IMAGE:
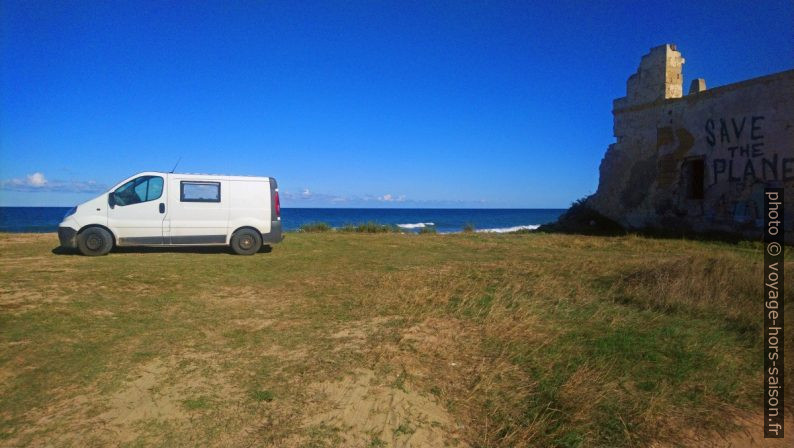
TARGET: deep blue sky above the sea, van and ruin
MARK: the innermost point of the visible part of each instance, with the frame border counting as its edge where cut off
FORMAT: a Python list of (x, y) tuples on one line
[(350, 103)]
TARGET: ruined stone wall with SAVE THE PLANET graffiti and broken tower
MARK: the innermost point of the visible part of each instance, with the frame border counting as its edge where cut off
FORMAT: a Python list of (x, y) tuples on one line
[(701, 161)]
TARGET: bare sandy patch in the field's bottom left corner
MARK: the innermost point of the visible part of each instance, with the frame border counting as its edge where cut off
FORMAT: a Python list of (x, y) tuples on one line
[(158, 392)]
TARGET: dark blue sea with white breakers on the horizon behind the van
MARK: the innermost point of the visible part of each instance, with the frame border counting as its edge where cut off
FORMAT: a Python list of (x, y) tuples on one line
[(444, 220)]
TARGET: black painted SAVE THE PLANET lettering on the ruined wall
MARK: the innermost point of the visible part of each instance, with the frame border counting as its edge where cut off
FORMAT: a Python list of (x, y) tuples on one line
[(741, 145)]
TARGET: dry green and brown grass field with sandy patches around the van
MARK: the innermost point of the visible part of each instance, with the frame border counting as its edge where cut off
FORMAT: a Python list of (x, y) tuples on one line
[(375, 340)]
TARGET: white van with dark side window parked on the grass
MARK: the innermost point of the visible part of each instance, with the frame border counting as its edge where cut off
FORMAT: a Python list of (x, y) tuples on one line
[(168, 209)]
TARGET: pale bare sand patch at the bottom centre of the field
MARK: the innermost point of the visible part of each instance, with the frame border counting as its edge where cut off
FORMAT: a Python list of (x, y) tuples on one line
[(387, 408)]
